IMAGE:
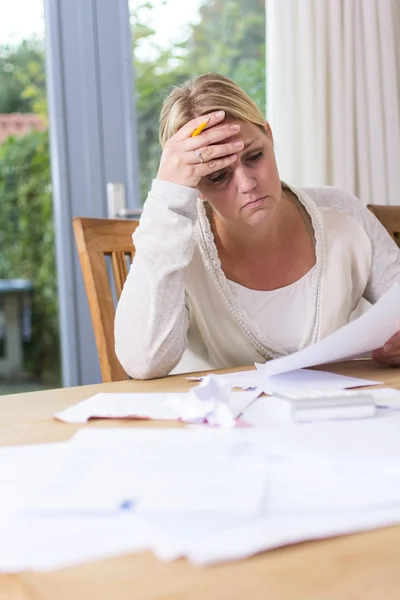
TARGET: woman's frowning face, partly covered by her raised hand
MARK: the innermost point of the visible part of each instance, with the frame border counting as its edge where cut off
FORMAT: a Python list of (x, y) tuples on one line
[(247, 192)]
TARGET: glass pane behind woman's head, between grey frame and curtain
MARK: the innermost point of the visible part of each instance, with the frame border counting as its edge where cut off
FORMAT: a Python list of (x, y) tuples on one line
[(176, 40)]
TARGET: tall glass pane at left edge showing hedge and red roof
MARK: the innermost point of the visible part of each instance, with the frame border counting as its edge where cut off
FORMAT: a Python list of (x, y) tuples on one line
[(29, 337)]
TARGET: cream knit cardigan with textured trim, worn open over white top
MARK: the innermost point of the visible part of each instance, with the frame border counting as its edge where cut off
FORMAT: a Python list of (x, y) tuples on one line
[(177, 310)]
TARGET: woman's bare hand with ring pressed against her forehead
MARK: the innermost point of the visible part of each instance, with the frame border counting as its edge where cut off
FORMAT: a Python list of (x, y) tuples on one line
[(186, 159)]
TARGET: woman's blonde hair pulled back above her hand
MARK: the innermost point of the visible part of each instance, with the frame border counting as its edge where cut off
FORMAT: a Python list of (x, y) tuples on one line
[(206, 94)]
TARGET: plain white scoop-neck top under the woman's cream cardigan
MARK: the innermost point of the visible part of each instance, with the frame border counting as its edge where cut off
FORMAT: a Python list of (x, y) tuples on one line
[(270, 310)]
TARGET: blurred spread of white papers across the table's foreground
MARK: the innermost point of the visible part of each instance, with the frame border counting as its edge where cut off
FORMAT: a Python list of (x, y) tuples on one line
[(205, 494)]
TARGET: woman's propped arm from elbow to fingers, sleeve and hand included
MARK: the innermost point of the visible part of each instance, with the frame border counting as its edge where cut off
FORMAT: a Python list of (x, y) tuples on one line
[(151, 320)]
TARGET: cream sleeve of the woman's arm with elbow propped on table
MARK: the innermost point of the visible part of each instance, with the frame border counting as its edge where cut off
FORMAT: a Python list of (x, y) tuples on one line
[(151, 320)]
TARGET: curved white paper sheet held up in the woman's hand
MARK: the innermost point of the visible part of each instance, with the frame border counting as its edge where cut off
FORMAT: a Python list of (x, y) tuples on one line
[(368, 332)]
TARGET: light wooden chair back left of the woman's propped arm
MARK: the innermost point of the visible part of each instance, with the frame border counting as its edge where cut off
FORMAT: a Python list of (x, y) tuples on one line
[(97, 239)]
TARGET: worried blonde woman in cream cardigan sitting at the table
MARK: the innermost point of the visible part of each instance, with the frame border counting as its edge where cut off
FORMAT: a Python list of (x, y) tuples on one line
[(232, 266)]
